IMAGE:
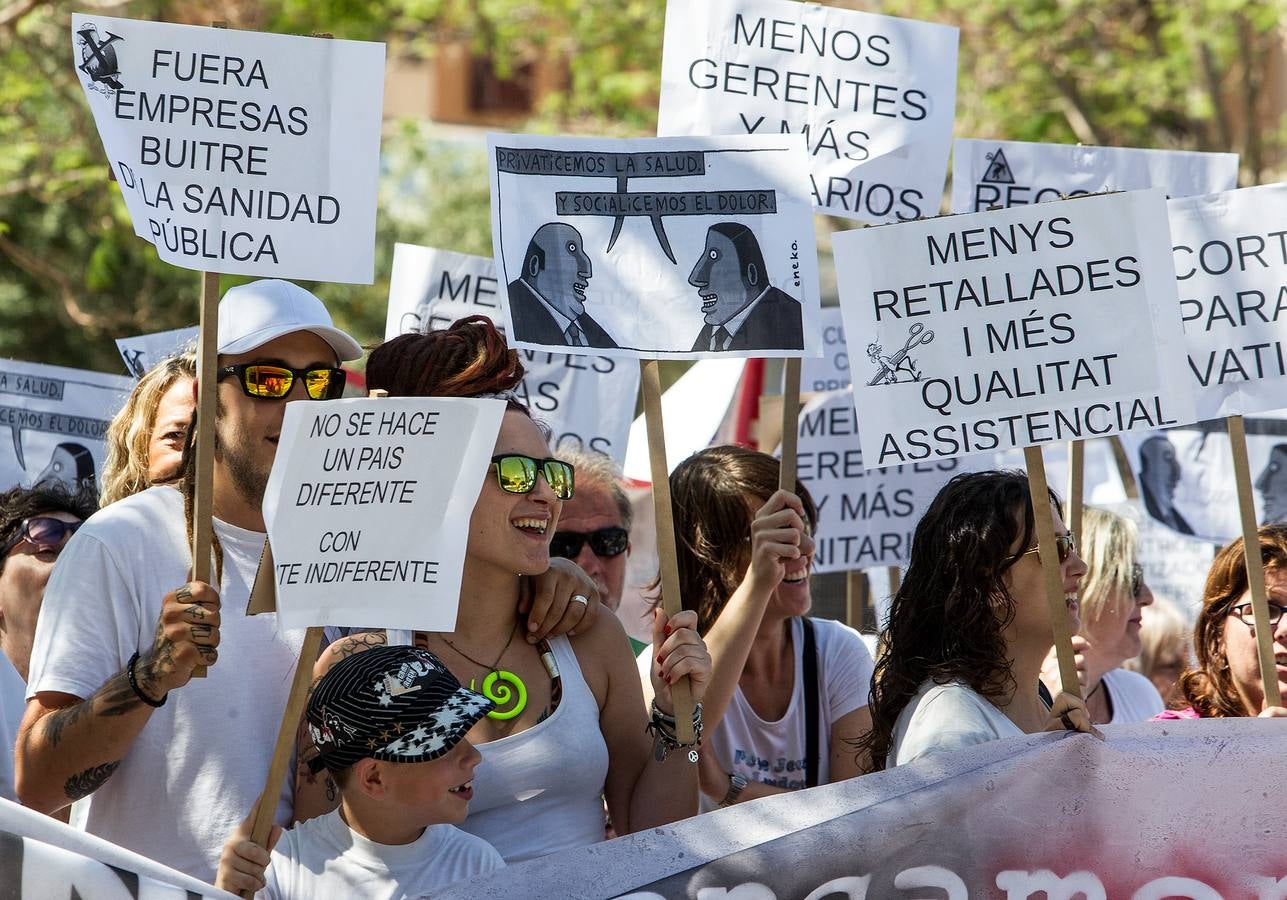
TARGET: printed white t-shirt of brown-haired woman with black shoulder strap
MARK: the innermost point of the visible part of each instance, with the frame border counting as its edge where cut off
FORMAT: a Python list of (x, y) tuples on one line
[(774, 753)]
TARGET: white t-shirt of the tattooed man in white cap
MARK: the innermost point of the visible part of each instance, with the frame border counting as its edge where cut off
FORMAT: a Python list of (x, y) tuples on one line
[(199, 765)]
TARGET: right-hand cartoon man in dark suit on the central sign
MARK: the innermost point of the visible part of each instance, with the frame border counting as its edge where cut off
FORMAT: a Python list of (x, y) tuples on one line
[(743, 311)]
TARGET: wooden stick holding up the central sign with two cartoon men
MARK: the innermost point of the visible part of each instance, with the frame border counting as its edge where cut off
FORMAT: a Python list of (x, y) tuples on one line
[(669, 561)]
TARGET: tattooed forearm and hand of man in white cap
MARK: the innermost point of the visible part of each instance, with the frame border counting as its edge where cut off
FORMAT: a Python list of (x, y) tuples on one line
[(69, 747)]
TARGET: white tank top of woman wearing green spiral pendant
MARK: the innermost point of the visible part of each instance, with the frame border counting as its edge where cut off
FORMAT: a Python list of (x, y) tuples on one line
[(541, 791)]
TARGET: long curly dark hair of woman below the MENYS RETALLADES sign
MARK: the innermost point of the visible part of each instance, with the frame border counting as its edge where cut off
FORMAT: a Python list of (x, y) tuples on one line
[(948, 620)]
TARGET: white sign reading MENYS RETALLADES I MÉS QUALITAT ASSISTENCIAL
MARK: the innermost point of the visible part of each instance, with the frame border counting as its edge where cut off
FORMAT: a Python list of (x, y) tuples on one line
[(1012, 329)]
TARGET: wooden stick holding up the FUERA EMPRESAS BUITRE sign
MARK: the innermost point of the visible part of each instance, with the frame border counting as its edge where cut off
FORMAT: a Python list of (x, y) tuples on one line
[(204, 442)]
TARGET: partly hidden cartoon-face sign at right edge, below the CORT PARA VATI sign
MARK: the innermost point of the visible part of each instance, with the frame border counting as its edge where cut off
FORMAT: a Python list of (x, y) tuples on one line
[(1186, 477)]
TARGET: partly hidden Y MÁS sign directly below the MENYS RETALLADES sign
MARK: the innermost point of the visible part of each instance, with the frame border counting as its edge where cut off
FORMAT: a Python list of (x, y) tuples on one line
[(866, 518)]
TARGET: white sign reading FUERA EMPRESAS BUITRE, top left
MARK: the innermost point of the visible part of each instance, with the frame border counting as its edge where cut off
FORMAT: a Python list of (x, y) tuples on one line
[(236, 151)]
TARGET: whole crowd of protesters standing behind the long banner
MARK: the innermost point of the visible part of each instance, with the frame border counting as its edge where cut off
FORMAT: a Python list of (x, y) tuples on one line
[(409, 781)]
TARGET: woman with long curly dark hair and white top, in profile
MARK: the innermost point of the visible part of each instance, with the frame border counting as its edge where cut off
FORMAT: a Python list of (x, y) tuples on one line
[(971, 626)]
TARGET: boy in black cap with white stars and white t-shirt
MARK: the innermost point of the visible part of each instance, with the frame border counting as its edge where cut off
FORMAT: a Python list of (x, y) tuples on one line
[(389, 724)]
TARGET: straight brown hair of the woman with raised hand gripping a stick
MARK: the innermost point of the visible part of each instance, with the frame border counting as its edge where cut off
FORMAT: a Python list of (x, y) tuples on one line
[(715, 495)]
